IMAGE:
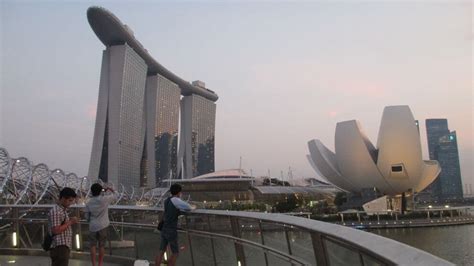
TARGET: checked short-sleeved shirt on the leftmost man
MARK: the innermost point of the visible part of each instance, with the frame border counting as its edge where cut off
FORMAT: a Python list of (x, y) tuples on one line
[(58, 215)]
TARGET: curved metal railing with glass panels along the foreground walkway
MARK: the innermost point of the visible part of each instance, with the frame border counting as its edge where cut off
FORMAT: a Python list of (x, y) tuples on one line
[(210, 237)]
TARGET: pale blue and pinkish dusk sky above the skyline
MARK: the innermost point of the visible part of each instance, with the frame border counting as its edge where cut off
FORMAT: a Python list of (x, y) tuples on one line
[(285, 73)]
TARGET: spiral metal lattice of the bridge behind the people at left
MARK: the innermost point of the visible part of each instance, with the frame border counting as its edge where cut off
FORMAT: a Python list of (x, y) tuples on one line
[(24, 183)]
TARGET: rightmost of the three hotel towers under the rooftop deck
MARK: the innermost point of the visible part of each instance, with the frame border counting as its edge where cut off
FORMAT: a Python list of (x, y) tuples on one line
[(196, 151)]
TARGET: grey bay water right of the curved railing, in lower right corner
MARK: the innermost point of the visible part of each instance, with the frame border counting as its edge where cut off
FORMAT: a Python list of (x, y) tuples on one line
[(452, 243)]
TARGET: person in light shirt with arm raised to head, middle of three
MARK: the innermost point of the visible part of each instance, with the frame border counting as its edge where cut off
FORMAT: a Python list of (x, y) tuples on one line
[(97, 213)]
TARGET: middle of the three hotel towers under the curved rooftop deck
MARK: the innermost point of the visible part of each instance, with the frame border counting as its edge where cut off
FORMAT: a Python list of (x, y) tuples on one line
[(162, 111)]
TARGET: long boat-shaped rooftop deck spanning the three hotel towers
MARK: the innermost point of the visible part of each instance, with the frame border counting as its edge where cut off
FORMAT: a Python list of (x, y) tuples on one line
[(111, 31)]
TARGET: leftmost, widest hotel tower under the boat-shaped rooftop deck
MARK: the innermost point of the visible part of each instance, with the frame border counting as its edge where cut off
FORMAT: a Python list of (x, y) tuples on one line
[(119, 134)]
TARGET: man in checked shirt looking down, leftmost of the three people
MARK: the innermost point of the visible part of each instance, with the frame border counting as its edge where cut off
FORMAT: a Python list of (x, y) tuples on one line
[(59, 226)]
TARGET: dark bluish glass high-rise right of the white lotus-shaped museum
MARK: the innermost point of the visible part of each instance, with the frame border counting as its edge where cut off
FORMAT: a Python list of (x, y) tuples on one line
[(442, 146)]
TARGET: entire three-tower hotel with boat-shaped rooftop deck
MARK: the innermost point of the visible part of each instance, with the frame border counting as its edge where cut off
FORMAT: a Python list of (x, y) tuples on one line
[(140, 106)]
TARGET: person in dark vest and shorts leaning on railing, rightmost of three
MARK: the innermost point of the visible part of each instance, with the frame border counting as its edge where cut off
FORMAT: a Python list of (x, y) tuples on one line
[(169, 233)]
